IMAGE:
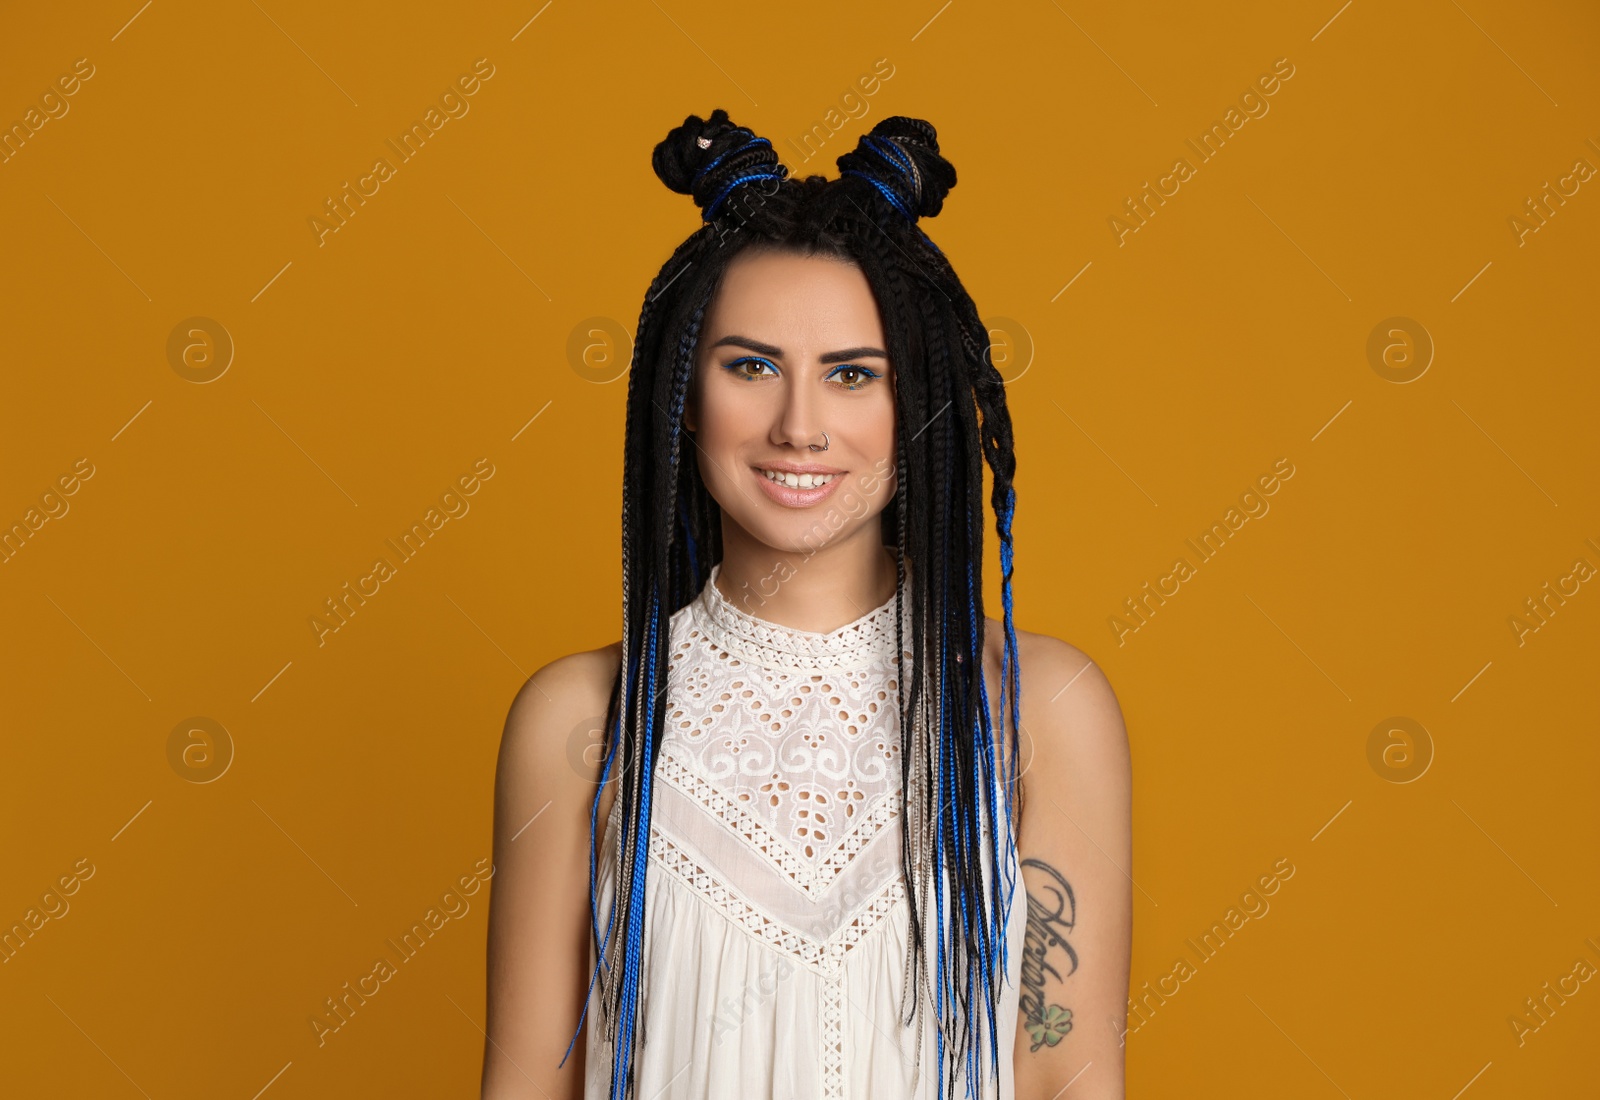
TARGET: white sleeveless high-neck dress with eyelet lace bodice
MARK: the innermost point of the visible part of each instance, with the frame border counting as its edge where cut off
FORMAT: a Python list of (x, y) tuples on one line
[(777, 909)]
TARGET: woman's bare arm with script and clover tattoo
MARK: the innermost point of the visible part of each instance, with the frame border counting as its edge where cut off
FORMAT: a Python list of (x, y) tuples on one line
[(1076, 847)]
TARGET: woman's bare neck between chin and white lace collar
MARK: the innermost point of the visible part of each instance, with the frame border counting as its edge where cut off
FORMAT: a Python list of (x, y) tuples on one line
[(812, 591)]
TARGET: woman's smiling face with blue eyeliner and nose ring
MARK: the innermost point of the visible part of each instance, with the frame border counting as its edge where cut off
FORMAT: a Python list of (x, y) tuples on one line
[(793, 348)]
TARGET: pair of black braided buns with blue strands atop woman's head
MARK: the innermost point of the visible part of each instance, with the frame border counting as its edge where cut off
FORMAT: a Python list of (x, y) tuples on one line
[(711, 157)]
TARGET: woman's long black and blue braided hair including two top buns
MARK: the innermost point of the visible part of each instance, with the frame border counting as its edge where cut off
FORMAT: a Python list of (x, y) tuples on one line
[(951, 420)]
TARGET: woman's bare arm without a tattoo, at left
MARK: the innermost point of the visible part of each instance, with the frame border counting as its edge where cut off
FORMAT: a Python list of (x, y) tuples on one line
[(538, 935)]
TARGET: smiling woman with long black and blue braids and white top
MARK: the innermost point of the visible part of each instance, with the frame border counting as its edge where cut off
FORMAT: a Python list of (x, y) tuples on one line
[(801, 864)]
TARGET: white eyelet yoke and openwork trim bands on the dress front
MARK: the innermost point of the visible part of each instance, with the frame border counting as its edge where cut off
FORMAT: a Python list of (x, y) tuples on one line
[(791, 741)]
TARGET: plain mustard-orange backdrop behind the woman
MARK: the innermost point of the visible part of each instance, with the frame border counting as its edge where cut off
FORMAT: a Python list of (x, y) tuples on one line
[(377, 369)]
